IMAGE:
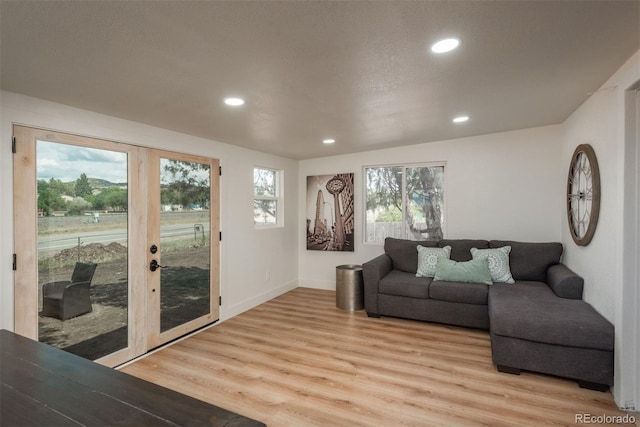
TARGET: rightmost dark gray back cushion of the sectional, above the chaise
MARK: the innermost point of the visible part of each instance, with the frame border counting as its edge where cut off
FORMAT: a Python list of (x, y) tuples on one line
[(530, 261)]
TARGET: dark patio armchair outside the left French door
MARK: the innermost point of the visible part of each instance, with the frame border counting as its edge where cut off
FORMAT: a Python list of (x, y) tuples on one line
[(69, 298)]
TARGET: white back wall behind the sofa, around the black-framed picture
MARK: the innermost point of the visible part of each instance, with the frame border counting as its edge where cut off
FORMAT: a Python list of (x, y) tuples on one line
[(499, 186)]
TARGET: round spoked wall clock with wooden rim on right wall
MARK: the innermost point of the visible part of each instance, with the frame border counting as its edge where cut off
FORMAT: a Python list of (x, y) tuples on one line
[(583, 194)]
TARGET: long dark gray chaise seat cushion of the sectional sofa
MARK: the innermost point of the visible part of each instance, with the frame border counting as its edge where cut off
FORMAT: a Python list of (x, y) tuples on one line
[(531, 311)]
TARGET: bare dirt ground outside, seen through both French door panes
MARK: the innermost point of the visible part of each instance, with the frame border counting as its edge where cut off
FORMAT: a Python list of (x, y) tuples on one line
[(184, 296)]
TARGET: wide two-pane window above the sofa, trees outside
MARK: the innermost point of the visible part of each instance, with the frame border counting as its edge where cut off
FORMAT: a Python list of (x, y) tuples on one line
[(404, 201)]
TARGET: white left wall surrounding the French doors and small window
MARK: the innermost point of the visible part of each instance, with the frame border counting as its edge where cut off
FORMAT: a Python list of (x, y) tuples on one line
[(246, 253)]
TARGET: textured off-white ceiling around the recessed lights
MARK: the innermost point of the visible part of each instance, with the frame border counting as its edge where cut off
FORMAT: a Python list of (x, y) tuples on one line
[(360, 72)]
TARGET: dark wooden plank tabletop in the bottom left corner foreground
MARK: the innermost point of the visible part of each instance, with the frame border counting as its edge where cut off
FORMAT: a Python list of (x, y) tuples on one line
[(44, 386)]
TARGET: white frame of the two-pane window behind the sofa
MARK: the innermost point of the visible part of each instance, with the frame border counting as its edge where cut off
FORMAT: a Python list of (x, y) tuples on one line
[(404, 167)]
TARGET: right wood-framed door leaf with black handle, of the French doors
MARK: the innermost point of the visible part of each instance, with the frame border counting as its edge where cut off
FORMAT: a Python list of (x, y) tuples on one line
[(183, 245)]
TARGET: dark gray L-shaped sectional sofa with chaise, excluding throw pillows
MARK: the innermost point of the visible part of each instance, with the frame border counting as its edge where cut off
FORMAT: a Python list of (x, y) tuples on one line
[(539, 323)]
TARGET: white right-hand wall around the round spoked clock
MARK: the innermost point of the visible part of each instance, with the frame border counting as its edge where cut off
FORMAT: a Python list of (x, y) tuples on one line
[(610, 285)]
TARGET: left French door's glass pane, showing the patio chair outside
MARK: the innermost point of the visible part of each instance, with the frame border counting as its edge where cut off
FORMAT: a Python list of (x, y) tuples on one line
[(82, 248)]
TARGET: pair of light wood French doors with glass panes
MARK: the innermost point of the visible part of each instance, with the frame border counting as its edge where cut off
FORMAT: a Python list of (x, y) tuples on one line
[(117, 246)]
